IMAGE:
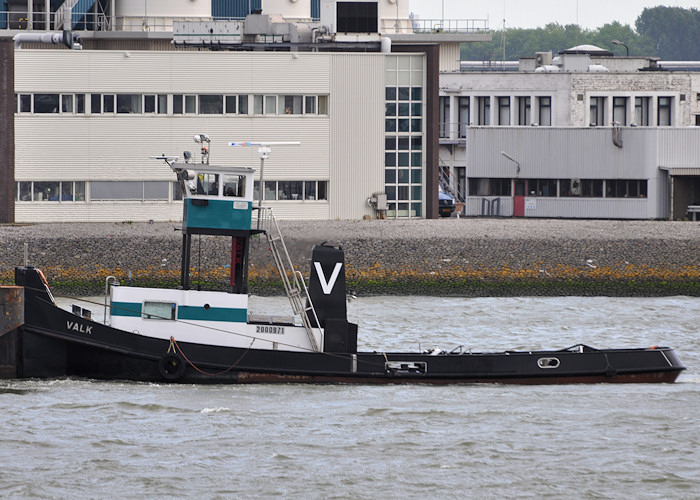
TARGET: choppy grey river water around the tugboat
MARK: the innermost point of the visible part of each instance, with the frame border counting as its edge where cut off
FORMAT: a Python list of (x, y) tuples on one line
[(81, 438)]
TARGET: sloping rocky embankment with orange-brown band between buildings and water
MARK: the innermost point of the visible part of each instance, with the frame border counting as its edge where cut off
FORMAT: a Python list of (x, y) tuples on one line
[(472, 257)]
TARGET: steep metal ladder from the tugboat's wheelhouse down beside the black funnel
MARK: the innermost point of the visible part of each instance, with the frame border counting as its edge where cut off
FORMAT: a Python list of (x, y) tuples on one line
[(295, 287)]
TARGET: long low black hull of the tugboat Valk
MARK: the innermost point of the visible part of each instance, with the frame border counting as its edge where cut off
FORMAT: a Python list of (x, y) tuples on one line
[(46, 347)]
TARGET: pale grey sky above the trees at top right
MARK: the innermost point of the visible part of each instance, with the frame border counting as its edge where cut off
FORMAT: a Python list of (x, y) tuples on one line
[(537, 13)]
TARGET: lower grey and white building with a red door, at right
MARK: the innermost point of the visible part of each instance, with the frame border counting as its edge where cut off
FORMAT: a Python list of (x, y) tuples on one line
[(583, 134)]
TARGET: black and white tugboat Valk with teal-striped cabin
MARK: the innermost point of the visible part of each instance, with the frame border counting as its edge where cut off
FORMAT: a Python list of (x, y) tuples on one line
[(188, 335)]
